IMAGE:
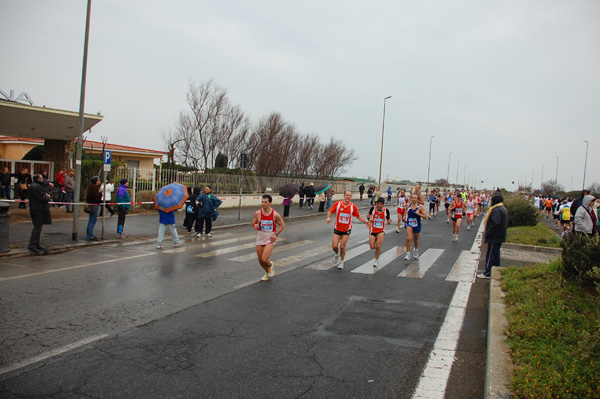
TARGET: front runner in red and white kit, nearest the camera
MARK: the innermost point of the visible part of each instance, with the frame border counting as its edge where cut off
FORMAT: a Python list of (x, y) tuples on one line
[(265, 221)]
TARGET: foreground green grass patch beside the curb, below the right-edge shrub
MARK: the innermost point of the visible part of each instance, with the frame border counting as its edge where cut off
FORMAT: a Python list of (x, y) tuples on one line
[(553, 333)]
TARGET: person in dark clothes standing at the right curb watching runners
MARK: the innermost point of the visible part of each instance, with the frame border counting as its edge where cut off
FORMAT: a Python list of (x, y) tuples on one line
[(496, 225)]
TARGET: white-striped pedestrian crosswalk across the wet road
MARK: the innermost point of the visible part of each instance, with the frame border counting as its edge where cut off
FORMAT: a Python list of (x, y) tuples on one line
[(359, 259)]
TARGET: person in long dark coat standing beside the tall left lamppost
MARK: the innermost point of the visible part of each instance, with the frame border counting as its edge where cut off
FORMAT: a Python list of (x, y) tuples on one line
[(39, 208)]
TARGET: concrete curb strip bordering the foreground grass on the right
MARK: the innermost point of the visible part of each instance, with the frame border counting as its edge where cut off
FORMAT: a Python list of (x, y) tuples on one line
[(498, 373)]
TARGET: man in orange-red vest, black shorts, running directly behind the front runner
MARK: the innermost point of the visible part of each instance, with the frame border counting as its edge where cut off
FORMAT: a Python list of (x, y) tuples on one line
[(345, 210)]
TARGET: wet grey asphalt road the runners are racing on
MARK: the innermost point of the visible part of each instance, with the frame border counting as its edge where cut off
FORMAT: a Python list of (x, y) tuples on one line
[(128, 320)]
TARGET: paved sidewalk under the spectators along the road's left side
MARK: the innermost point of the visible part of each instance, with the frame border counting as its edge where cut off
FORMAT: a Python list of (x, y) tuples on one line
[(58, 237)]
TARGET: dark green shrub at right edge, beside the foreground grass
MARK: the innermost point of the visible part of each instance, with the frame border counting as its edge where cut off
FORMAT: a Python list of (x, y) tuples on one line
[(581, 259)]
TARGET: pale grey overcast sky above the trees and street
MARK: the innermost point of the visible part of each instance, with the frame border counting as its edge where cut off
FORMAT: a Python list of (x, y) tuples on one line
[(506, 86)]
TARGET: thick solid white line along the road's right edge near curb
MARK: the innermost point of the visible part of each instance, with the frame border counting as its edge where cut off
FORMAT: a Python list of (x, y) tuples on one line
[(433, 381)]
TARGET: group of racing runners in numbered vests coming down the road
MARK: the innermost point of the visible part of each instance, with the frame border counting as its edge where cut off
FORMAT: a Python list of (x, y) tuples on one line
[(410, 211)]
